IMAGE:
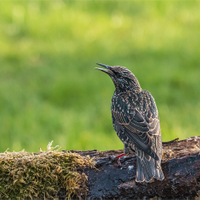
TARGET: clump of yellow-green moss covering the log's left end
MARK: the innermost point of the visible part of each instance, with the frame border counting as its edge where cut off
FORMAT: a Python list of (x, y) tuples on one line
[(43, 174)]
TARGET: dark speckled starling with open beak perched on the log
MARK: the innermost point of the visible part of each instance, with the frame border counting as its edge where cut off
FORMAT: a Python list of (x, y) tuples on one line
[(136, 122)]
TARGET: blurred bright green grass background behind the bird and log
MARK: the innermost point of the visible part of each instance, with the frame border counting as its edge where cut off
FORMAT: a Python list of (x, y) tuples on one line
[(49, 89)]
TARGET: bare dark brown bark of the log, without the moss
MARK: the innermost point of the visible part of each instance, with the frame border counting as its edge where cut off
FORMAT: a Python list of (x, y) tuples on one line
[(180, 164)]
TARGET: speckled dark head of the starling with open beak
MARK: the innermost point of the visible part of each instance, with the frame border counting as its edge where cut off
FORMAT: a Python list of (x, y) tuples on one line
[(123, 78)]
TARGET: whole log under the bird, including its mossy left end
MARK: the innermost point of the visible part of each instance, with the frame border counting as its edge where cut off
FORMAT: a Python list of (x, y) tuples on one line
[(55, 174)]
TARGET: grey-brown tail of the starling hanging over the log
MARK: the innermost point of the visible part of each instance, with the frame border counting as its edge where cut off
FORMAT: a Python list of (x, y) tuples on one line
[(148, 168)]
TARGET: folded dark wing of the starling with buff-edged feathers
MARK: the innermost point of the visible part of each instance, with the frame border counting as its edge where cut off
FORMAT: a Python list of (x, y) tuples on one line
[(138, 125)]
